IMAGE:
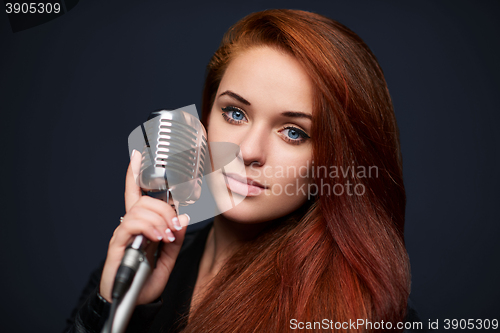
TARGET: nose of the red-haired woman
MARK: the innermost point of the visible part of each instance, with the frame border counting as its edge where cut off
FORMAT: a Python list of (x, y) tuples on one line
[(254, 145)]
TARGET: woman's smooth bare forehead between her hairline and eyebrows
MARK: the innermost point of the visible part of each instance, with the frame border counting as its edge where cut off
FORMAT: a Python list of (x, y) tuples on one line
[(266, 75)]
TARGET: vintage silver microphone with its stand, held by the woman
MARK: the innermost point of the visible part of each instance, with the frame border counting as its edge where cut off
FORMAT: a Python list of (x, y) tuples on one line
[(174, 150)]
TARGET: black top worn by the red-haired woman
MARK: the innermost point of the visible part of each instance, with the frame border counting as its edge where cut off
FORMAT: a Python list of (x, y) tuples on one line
[(167, 313)]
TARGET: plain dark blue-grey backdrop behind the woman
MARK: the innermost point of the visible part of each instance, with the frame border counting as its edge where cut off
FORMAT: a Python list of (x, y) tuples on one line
[(71, 91)]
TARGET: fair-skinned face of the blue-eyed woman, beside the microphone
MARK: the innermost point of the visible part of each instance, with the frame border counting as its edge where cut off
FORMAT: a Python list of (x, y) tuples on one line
[(264, 105)]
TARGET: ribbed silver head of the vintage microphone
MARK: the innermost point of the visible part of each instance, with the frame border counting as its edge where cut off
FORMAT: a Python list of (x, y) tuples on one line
[(174, 154)]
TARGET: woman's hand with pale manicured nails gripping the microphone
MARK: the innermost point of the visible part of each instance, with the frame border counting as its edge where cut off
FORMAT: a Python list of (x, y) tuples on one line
[(154, 219)]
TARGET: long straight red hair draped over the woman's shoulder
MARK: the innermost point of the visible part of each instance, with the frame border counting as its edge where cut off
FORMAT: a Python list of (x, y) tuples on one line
[(340, 257)]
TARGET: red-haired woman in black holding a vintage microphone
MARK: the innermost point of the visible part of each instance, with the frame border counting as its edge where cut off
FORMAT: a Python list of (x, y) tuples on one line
[(297, 91)]
